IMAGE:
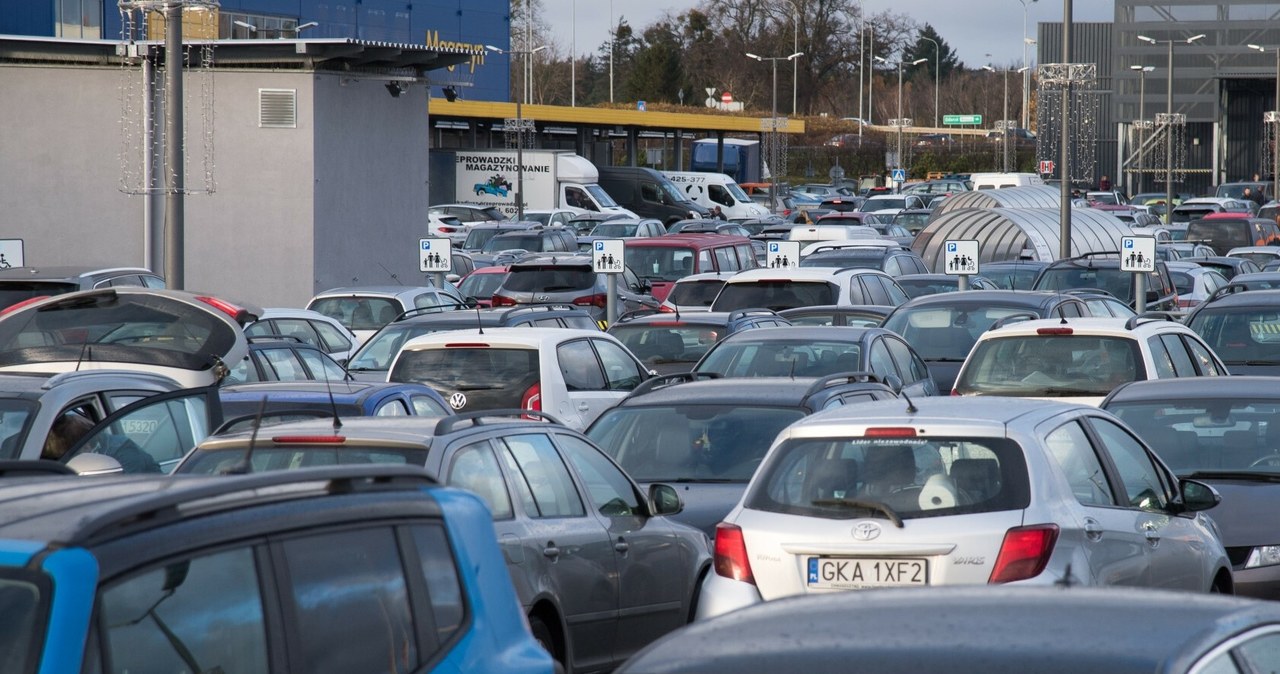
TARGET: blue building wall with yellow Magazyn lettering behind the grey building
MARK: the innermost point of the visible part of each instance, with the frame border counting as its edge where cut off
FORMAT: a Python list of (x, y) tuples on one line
[(468, 24)]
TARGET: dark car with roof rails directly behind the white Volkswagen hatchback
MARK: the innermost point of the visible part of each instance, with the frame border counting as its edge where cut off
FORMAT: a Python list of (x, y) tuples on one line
[(376, 356)]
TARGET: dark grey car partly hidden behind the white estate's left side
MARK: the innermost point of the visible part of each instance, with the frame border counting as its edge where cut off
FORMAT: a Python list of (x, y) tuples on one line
[(943, 328)]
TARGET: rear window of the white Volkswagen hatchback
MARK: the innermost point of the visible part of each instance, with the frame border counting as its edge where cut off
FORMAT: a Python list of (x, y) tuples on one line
[(488, 378)]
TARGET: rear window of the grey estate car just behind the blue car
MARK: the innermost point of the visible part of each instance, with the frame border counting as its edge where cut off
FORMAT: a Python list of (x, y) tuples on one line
[(289, 457)]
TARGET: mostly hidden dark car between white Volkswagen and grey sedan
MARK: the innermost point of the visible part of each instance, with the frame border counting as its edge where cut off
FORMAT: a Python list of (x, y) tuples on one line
[(669, 343)]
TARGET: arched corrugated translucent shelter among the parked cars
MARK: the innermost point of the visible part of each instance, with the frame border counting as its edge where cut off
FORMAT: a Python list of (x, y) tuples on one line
[(1005, 233)]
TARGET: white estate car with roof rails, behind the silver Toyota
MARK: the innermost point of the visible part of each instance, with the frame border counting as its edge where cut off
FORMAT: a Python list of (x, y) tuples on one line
[(1082, 360)]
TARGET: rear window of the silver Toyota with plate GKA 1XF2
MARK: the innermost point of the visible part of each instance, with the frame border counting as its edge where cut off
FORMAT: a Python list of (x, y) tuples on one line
[(857, 478)]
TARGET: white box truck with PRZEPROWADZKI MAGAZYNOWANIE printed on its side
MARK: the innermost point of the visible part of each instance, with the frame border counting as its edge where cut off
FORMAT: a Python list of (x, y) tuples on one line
[(552, 180)]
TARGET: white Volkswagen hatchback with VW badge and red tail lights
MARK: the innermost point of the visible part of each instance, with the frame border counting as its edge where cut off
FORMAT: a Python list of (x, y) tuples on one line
[(574, 375)]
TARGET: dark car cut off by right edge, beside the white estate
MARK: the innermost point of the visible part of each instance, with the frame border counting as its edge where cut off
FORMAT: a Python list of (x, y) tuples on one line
[(1244, 329)]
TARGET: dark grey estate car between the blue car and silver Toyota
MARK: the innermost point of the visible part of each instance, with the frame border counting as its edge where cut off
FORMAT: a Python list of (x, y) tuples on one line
[(600, 568)]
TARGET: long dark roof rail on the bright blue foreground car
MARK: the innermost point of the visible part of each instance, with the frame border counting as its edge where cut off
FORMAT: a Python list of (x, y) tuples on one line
[(164, 506)]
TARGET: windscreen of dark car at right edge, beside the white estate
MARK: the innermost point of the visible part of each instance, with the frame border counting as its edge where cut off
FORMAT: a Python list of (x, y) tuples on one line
[(1241, 336)]
